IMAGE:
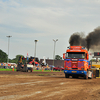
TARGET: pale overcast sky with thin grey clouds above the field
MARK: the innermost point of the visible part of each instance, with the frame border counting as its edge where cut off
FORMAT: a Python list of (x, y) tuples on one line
[(44, 20)]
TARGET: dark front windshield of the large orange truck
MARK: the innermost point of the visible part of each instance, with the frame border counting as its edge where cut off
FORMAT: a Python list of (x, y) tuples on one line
[(75, 55)]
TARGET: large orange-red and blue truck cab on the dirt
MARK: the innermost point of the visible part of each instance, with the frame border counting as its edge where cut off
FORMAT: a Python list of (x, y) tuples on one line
[(76, 62)]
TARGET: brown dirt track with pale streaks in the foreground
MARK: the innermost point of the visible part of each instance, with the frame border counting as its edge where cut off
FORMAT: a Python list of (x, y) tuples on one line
[(54, 86)]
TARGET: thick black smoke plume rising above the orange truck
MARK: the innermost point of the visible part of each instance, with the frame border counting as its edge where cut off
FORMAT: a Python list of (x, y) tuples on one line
[(91, 41)]
